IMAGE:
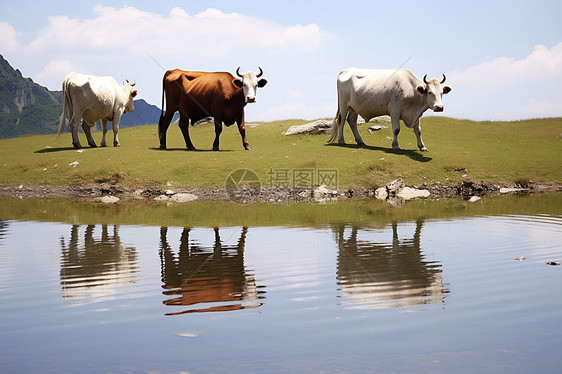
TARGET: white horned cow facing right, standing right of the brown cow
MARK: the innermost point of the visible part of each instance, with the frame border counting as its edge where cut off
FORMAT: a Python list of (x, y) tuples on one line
[(396, 92)]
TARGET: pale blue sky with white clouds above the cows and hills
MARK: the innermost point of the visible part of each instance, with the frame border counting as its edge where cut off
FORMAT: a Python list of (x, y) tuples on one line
[(502, 59)]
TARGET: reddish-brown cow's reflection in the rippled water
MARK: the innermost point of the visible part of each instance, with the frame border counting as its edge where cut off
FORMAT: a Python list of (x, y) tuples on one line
[(201, 274)]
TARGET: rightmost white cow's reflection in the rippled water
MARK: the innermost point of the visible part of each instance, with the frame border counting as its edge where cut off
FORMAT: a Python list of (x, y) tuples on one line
[(384, 275)]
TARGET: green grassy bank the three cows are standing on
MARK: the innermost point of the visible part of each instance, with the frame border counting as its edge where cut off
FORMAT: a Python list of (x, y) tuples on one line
[(510, 152)]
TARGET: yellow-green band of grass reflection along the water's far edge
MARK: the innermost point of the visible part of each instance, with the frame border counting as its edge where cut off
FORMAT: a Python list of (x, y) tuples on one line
[(222, 214)]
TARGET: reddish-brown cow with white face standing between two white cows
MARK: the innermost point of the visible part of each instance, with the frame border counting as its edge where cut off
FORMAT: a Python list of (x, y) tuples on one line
[(197, 95)]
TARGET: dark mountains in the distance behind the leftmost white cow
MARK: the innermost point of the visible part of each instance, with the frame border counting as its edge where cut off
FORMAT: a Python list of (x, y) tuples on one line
[(29, 108)]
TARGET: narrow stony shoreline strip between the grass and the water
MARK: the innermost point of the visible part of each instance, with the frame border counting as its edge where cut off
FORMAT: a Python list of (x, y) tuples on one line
[(114, 193)]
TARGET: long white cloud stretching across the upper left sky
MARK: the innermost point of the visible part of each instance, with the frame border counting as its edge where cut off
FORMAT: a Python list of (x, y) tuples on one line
[(131, 30)]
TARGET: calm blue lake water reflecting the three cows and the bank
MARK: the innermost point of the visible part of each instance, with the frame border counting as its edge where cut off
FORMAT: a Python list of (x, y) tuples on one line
[(357, 287)]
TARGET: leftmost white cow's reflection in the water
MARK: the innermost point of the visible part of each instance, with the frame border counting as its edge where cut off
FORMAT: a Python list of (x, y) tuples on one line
[(95, 267)]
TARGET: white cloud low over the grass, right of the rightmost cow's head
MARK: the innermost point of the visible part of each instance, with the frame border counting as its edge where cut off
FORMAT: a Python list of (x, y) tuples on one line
[(509, 88)]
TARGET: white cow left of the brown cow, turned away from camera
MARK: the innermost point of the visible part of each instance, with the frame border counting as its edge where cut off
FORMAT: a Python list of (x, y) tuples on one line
[(93, 98)]
